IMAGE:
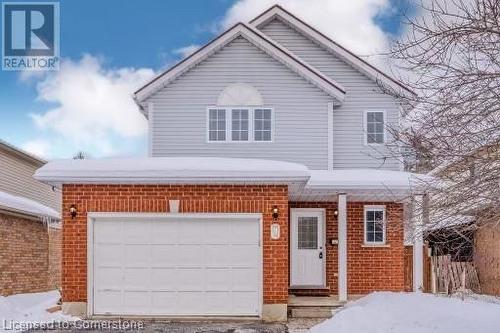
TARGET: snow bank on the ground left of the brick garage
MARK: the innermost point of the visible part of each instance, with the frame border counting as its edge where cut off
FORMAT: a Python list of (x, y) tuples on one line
[(29, 308)]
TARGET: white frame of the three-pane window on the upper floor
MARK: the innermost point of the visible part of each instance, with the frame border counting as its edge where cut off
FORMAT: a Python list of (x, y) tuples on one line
[(229, 124)]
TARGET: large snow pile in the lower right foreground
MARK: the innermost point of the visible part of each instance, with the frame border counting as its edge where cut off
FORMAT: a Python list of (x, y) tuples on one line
[(386, 312)]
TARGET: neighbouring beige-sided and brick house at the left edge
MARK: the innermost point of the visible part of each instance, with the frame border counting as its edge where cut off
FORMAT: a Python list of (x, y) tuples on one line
[(30, 235)]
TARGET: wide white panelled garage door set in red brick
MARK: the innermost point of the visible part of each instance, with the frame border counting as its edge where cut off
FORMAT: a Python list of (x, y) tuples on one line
[(181, 266)]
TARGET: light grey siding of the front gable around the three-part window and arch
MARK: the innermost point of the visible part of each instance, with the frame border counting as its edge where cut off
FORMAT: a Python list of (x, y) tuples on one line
[(300, 109)]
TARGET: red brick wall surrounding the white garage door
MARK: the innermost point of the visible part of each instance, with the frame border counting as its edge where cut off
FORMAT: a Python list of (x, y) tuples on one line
[(154, 198)]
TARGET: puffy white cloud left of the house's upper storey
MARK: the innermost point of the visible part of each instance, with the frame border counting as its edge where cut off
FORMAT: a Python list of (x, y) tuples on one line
[(94, 108)]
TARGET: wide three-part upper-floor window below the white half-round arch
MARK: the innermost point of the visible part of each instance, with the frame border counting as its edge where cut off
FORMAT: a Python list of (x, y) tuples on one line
[(240, 124)]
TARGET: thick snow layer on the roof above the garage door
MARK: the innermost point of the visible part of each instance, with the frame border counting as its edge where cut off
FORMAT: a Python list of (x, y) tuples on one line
[(159, 170)]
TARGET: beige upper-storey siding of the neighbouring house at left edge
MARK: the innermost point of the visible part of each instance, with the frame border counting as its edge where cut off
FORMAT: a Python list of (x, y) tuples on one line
[(16, 178)]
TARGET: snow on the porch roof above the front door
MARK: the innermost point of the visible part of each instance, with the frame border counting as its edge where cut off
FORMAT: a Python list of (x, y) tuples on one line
[(365, 179)]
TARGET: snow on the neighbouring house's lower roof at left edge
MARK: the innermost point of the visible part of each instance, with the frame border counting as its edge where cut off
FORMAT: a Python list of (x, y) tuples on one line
[(26, 206)]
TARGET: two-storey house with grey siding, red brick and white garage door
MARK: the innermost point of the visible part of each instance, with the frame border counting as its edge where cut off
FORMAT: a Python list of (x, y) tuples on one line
[(267, 176)]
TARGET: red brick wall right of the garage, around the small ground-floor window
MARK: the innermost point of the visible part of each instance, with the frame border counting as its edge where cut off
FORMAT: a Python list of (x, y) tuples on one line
[(368, 268)]
